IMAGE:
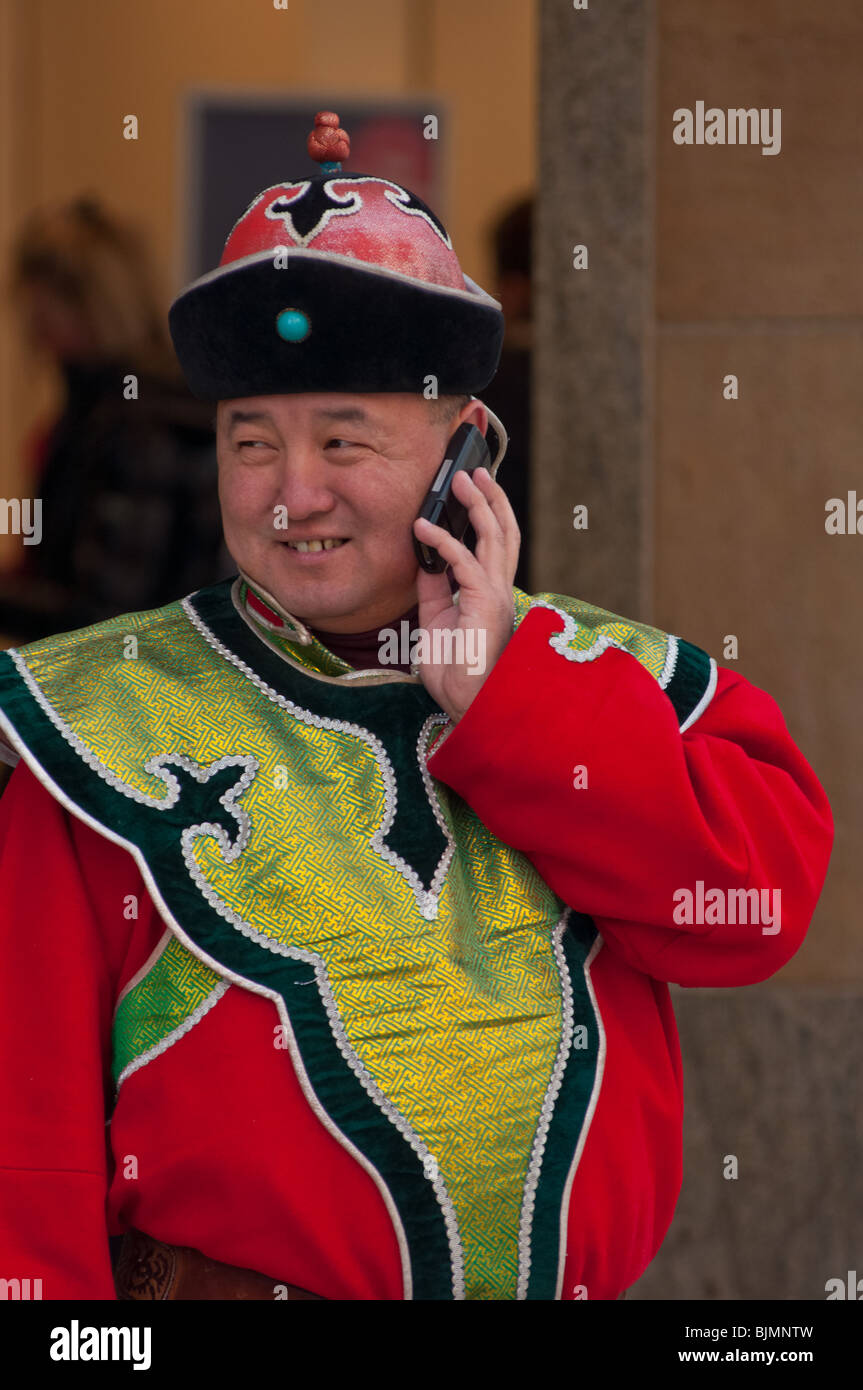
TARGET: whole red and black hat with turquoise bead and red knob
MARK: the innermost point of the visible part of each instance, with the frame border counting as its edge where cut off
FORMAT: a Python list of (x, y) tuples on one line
[(344, 283)]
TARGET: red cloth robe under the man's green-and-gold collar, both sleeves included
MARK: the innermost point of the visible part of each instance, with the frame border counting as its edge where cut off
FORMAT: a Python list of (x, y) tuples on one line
[(215, 1146)]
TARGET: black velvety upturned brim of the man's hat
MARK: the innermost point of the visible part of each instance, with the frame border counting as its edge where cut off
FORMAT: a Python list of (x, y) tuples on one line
[(372, 330)]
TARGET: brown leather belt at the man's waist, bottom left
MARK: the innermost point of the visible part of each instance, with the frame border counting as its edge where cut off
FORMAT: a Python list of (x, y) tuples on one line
[(148, 1268)]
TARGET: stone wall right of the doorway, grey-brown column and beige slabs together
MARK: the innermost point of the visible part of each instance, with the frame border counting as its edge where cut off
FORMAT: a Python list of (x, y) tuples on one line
[(707, 516)]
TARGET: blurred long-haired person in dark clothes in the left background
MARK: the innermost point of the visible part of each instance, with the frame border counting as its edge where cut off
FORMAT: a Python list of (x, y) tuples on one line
[(127, 475)]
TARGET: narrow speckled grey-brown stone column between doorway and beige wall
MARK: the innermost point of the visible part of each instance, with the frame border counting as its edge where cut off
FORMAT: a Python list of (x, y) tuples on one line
[(594, 329)]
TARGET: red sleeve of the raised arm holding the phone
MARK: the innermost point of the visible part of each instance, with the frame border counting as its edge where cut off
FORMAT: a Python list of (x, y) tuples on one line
[(730, 803)]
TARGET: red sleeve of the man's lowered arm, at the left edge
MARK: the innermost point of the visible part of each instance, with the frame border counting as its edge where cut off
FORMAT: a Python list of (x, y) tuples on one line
[(65, 950)]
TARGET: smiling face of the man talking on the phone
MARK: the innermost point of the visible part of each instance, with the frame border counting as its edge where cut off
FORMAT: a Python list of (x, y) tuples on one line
[(348, 468)]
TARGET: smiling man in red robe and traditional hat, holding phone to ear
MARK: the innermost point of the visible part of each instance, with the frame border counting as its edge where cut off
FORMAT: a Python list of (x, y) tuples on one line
[(368, 968)]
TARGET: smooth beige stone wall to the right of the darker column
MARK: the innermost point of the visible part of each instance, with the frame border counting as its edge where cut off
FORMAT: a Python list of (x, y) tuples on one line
[(759, 273)]
